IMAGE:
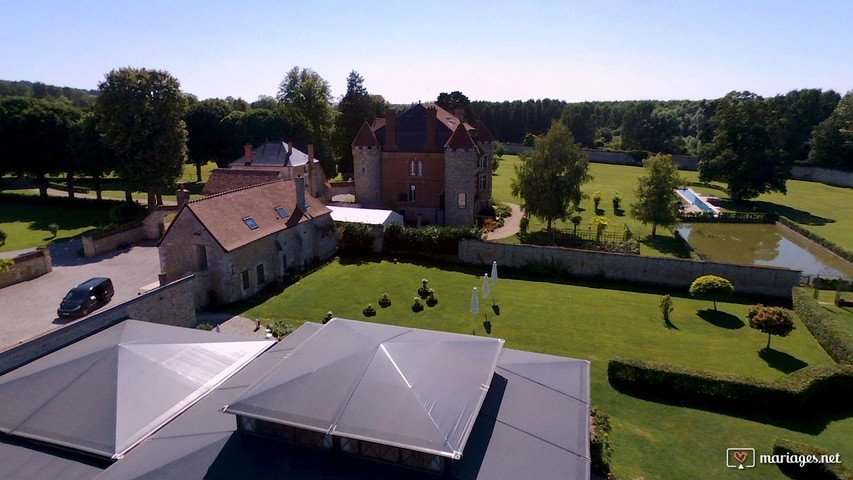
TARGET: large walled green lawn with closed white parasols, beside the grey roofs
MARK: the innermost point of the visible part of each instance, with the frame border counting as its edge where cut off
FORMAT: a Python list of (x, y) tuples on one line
[(595, 322)]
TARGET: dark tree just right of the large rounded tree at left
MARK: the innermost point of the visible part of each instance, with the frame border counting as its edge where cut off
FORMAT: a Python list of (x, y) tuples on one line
[(206, 137)]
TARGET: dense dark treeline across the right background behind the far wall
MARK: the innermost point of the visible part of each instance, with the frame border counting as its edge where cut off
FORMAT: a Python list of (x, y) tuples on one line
[(807, 125)]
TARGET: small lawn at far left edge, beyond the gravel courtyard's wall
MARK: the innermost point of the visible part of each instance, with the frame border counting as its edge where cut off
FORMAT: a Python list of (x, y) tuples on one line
[(26, 225)]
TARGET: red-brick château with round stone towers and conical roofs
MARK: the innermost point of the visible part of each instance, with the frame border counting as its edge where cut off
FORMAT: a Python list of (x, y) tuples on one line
[(425, 163)]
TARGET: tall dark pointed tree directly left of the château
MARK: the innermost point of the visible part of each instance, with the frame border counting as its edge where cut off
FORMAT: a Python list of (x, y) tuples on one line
[(356, 107)]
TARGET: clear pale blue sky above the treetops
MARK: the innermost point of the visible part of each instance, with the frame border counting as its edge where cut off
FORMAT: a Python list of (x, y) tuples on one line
[(409, 51)]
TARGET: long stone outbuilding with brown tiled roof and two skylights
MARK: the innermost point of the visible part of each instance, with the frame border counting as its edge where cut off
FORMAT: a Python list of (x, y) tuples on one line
[(238, 242)]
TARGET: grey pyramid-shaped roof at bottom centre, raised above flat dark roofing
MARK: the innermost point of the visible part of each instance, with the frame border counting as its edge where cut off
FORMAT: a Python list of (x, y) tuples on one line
[(410, 388)]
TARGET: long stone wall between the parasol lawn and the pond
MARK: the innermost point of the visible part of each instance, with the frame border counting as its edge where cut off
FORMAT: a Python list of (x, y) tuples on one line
[(658, 271)]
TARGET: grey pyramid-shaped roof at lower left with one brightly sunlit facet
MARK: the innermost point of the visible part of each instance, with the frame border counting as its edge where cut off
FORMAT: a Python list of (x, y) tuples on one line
[(109, 391)]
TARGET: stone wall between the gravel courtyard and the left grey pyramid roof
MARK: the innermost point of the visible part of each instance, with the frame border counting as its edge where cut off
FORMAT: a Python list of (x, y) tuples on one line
[(170, 304)]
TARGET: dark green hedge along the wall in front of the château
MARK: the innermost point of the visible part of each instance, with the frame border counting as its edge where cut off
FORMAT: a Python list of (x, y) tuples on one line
[(428, 239)]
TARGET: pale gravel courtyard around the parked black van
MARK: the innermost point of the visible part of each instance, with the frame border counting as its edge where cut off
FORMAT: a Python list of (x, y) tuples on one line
[(29, 308)]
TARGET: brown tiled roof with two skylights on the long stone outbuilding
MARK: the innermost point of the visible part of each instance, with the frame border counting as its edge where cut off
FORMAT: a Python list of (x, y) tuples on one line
[(222, 215)]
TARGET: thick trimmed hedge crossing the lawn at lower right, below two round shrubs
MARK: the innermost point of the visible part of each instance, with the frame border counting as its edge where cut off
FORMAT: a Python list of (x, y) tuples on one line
[(823, 389)]
